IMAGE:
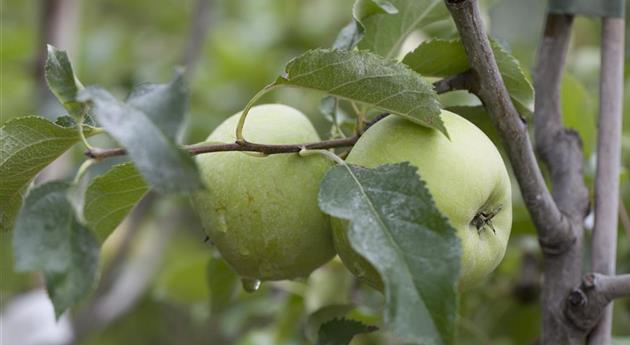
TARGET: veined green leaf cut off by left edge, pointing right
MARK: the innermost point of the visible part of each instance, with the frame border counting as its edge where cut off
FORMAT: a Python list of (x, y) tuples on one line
[(27, 145)]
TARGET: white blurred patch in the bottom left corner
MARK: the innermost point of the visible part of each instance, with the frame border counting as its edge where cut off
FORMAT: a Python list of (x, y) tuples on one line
[(29, 319)]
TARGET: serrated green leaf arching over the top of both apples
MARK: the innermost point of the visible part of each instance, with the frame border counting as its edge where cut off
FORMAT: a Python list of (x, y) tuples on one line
[(367, 78)]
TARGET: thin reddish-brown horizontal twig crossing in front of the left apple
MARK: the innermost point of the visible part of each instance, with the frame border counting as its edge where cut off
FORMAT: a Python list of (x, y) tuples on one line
[(249, 147)]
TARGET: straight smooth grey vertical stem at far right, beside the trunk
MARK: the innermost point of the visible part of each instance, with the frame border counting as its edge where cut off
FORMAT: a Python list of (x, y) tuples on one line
[(604, 251)]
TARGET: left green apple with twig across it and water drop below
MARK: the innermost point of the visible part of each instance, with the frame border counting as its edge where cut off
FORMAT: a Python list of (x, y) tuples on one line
[(262, 212)]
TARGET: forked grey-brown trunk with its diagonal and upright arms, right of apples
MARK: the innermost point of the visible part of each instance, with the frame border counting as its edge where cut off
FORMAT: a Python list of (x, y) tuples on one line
[(558, 215)]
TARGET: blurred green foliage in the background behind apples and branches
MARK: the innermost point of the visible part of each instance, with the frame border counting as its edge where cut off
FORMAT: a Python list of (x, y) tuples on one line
[(194, 298)]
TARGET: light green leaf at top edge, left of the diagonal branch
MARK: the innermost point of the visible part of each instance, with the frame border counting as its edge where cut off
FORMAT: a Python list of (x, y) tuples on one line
[(384, 32)]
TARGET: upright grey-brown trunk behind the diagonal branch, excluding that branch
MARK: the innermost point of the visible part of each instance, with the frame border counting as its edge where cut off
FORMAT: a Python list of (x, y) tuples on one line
[(561, 151)]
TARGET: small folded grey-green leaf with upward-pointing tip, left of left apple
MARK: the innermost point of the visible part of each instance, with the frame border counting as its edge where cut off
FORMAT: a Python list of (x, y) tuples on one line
[(164, 104)]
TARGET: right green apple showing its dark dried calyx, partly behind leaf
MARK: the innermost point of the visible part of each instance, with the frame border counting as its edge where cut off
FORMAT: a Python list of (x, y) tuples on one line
[(465, 176)]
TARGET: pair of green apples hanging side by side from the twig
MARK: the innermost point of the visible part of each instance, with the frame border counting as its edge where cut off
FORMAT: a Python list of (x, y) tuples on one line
[(262, 212)]
